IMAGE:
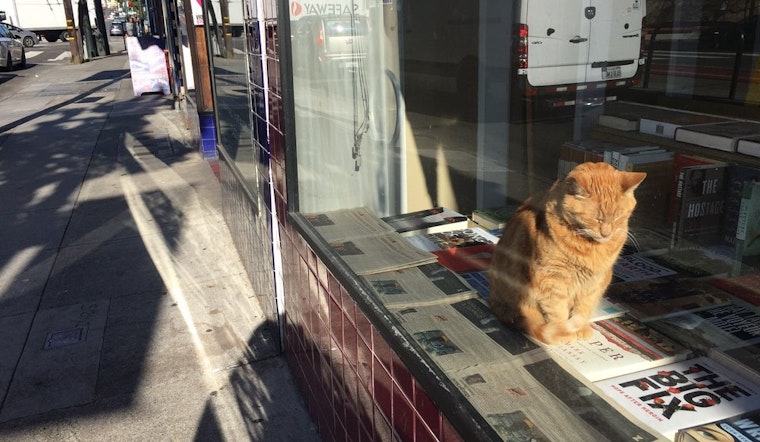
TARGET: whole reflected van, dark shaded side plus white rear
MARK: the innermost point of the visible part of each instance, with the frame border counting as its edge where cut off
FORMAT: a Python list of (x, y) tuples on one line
[(551, 47)]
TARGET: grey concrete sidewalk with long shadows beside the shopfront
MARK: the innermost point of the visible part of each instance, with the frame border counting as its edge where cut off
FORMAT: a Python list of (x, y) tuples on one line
[(125, 313)]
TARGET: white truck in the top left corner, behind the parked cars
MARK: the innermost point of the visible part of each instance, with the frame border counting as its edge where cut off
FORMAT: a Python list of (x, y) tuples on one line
[(46, 18)]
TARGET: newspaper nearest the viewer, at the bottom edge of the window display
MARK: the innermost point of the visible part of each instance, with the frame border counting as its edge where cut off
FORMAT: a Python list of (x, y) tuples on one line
[(525, 398)]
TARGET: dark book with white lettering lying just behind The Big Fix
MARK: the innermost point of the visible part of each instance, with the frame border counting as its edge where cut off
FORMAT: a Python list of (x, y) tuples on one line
[(728, 325)]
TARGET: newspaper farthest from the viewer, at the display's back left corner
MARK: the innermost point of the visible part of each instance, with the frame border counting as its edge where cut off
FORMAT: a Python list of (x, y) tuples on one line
[(347, 224)]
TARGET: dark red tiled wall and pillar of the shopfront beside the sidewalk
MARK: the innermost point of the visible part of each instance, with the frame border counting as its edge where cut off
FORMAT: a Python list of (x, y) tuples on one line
[(355, 386)]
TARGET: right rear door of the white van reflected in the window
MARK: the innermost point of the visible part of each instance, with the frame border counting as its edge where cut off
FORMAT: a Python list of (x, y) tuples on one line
[(615, 38)]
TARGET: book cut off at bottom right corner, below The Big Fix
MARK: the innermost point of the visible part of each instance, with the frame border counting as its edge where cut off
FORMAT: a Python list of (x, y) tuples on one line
[(742, 428)]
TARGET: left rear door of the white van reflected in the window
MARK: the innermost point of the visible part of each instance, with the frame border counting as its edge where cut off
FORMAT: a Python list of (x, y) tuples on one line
[(558, 41)]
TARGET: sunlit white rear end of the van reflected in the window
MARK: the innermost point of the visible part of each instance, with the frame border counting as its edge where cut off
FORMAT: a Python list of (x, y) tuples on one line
[(565, 45)]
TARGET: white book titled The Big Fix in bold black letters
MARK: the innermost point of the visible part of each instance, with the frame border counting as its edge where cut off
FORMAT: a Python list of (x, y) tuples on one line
[(682, 394)]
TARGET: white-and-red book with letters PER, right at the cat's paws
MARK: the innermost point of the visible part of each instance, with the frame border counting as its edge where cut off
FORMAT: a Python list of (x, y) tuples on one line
[(618, 346)]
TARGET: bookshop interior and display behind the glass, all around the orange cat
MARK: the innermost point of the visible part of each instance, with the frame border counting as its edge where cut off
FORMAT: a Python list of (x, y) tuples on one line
[(420, 127)]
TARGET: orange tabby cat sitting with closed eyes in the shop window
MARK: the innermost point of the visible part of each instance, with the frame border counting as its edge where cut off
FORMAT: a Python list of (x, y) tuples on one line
[(554, 260)]
